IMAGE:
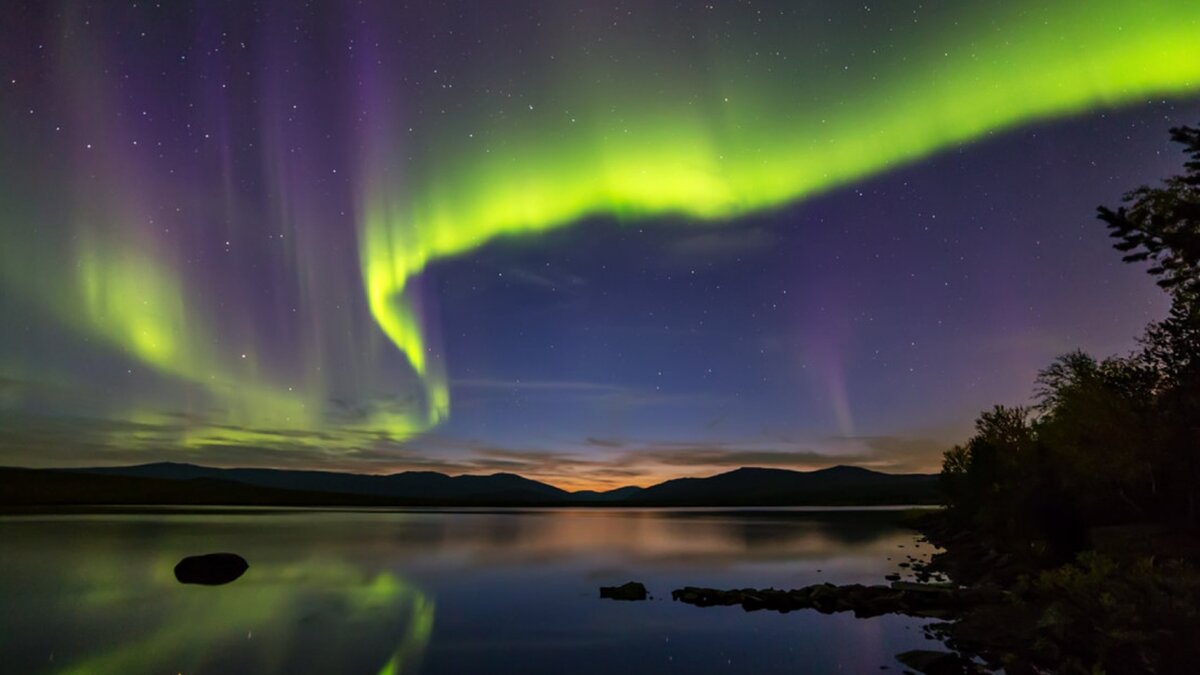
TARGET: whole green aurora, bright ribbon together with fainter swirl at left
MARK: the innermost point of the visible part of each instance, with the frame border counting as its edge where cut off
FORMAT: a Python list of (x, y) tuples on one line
[(698, 116)]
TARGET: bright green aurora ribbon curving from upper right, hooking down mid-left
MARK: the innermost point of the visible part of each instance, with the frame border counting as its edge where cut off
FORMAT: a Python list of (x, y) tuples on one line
[(628, 144)]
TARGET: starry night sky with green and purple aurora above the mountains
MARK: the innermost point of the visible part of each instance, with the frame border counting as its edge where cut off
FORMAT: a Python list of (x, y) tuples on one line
[(592, 243)]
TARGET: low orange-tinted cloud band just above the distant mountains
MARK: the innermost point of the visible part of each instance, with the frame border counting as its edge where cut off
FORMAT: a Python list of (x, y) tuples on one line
[(593, 463)]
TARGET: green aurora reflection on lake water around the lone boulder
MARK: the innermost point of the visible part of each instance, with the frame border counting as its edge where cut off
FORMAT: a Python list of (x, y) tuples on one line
[(103, 608)]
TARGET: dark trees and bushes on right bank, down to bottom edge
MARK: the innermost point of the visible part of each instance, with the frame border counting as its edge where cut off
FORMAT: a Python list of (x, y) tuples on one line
[(1094, 488)]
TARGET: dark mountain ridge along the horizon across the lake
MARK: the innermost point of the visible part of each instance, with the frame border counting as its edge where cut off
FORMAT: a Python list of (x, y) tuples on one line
[(173, 483)]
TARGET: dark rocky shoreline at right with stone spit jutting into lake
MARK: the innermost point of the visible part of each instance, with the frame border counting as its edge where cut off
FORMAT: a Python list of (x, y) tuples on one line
[(998, 606)]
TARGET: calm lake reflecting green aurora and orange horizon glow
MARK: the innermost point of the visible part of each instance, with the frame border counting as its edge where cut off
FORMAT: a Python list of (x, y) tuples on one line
[(385, 593)]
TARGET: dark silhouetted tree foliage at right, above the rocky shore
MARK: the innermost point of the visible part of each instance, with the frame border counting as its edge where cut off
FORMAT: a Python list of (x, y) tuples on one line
[(1108, 441)]
